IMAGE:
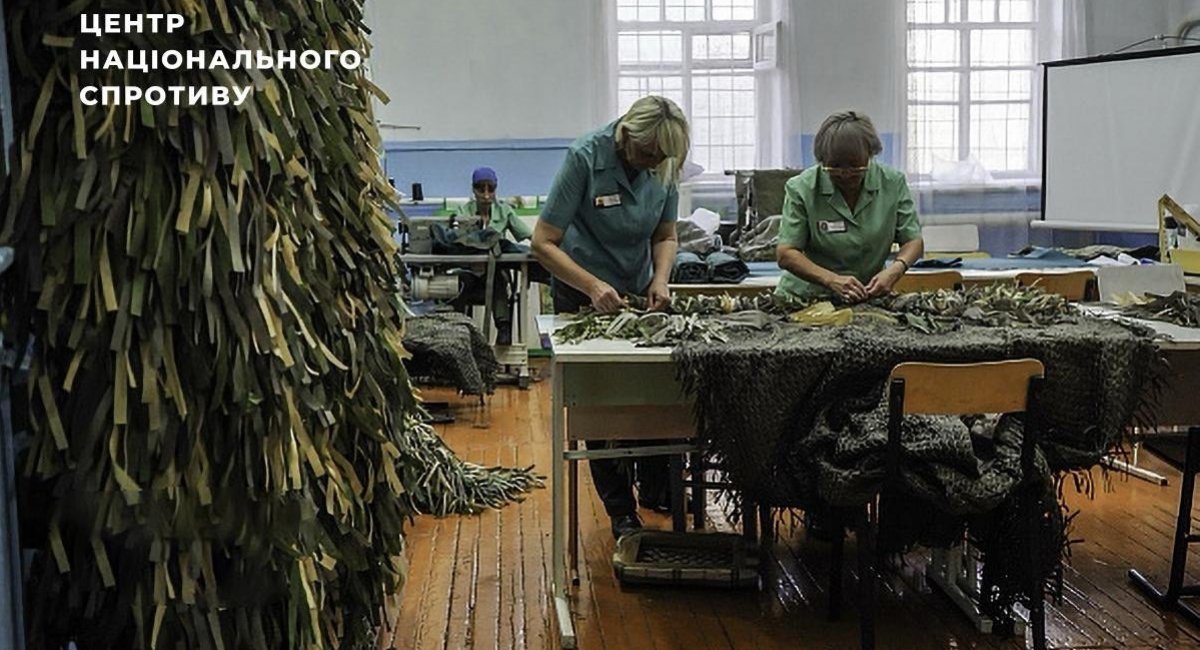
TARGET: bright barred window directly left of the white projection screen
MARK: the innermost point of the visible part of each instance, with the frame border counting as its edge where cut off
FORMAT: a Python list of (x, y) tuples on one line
[(970, 95)]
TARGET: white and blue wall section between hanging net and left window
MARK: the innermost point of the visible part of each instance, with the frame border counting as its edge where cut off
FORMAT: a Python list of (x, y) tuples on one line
[(501, 83)]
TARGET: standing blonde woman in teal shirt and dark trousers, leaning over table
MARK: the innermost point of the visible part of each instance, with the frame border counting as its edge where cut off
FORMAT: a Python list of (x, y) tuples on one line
[(608, 232)]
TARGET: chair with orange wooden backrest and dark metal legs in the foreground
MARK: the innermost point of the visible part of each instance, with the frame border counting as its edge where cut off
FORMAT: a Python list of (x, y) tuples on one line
[(937, 389)]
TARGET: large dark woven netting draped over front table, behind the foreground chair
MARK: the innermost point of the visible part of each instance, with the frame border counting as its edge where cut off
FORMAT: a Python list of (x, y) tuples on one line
[(797, 418)]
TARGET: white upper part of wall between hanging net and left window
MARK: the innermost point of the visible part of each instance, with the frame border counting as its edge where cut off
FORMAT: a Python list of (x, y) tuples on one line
[(469, 70)]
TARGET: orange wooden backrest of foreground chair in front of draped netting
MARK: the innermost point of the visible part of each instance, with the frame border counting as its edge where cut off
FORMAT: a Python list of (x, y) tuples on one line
[(964, 389)]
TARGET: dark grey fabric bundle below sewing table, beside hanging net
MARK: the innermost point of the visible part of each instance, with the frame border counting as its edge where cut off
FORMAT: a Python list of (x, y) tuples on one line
[(448, 350)]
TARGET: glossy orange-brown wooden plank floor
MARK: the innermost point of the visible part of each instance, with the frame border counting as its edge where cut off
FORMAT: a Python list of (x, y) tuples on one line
[(484, 582)]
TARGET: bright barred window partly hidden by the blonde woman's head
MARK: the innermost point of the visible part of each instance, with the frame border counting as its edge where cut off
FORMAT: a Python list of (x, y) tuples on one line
[(698, 55)]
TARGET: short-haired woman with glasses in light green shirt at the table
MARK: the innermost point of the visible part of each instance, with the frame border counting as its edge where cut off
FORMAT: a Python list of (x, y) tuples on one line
[(842, 218)]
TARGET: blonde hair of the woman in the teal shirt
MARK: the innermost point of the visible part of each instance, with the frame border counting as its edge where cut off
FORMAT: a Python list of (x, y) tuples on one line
[(657, 122)]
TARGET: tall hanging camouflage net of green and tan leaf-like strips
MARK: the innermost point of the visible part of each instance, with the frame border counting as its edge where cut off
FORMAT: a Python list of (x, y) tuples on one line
[(225, 441)]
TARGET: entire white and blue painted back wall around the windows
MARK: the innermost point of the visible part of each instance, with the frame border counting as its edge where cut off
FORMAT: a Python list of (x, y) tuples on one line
[(509, 83)]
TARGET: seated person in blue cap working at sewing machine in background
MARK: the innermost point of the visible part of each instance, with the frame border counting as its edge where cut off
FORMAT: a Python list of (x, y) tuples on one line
[(485, 212)]
